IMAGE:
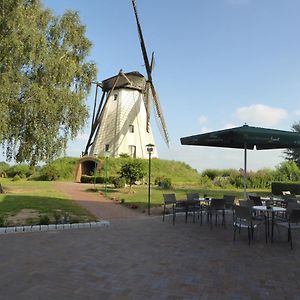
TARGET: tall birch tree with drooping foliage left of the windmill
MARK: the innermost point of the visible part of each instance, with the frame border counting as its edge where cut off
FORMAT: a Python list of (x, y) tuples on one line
[(44, 79)]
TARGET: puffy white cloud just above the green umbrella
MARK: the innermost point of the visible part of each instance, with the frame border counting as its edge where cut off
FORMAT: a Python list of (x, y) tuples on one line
[(261, 115)]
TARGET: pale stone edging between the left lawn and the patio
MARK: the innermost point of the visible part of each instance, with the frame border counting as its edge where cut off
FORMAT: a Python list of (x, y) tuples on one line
[(51, 227)]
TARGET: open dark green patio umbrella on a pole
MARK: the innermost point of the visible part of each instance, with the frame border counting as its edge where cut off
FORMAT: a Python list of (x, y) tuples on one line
[(245, 137)]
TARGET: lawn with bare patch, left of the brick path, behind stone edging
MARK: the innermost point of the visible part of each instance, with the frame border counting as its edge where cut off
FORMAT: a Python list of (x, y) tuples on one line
[(33, 202)]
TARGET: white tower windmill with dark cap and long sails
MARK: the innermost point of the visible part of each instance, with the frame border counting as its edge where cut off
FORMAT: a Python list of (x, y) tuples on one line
[(121, 121)]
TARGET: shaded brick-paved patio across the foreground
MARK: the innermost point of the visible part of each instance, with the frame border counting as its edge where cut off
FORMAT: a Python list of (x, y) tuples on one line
[(144, 258)]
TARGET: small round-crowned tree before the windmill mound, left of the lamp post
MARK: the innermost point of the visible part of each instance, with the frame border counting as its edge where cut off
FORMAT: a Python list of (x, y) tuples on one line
[(132, 171)]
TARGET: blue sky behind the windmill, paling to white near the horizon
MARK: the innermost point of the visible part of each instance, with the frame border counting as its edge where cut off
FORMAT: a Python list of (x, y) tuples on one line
[(219, 63)]
